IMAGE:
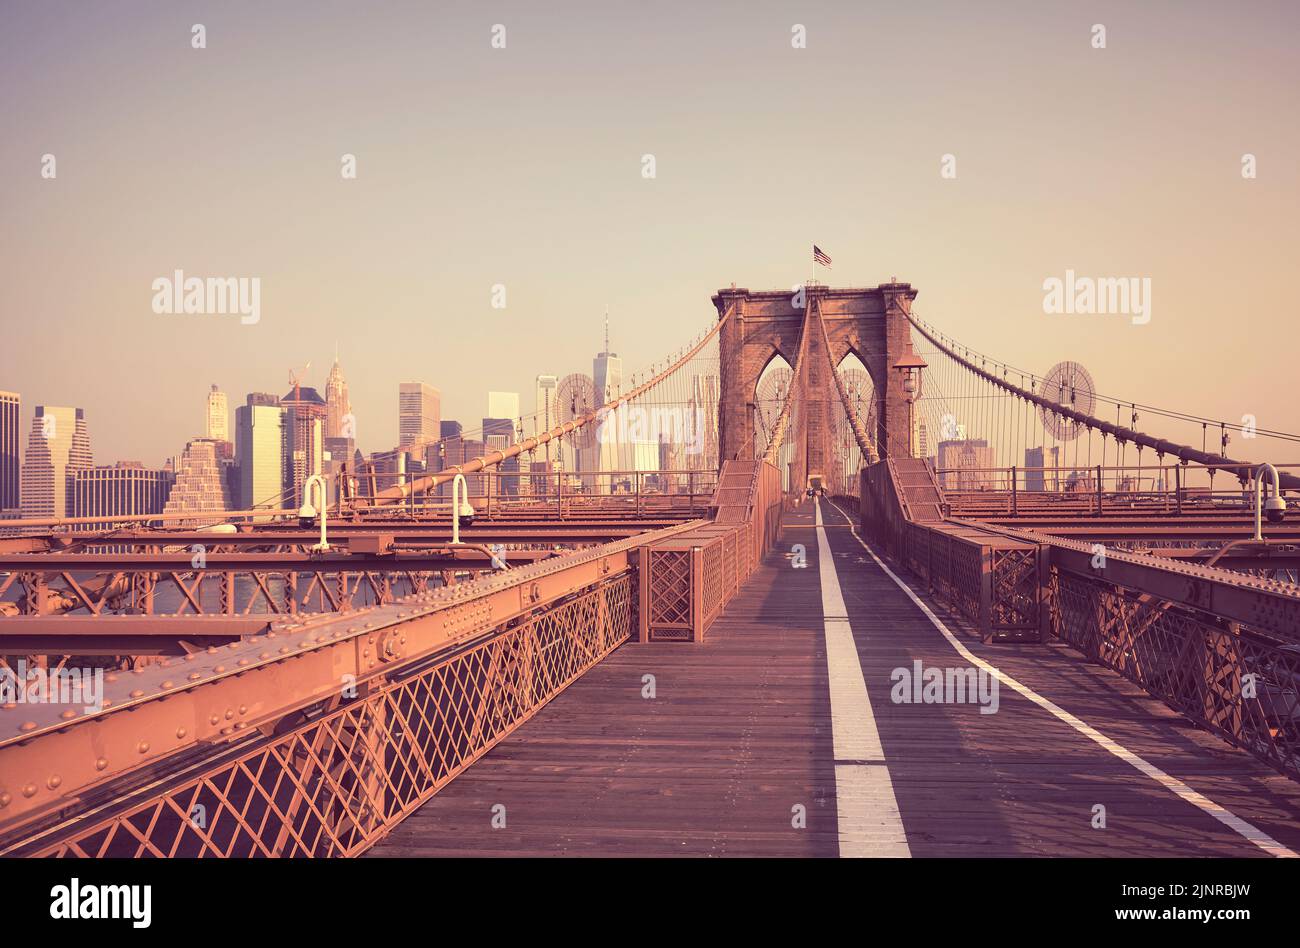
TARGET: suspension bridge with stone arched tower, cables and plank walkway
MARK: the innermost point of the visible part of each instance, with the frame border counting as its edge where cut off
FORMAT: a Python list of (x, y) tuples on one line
[(1076, 633)]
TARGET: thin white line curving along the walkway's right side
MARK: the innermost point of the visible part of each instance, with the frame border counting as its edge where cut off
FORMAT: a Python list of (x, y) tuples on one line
[(1172, 783)]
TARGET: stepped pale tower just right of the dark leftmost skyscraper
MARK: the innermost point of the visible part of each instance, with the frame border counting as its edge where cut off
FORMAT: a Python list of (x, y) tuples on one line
[(58, 448)]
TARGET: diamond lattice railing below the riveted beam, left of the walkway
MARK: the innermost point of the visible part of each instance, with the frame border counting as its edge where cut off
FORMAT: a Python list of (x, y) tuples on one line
[(340, 780)]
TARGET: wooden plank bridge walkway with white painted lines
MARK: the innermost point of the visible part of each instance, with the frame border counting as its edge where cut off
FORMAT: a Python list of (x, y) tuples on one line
[(742, 731)]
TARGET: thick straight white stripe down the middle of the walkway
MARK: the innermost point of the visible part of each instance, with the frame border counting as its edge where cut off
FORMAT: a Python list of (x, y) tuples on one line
[(866, 808)]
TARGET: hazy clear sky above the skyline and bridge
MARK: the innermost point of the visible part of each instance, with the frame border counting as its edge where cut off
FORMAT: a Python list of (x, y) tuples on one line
[(523, 167)]
